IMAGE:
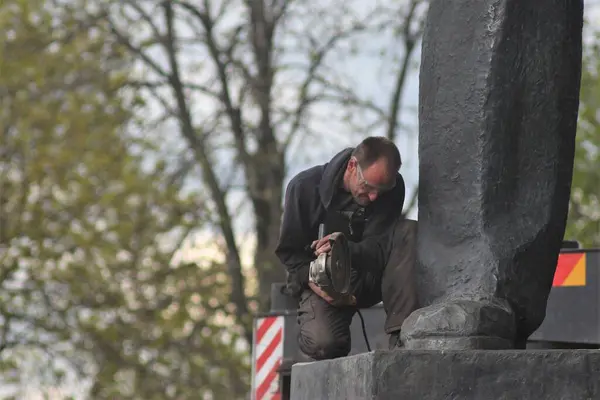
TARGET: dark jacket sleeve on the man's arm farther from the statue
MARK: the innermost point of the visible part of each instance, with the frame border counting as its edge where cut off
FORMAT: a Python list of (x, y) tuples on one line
[(294, 237)]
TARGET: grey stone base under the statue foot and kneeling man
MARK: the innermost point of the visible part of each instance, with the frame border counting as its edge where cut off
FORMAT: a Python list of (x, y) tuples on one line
[(456, 375)]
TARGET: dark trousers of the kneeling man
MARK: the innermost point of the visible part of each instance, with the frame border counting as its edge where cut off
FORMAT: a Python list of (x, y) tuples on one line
[(324, 329)]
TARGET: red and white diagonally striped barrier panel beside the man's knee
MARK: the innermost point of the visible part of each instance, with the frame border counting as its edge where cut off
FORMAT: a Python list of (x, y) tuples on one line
[(268, 355)]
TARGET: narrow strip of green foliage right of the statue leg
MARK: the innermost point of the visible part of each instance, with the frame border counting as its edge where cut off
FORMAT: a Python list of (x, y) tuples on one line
[(584, 216)]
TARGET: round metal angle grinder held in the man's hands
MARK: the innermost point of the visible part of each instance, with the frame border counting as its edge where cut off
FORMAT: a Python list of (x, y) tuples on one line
[(332, 271)]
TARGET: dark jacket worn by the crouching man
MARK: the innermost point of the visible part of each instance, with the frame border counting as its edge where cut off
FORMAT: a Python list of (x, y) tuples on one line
[(308, 198)]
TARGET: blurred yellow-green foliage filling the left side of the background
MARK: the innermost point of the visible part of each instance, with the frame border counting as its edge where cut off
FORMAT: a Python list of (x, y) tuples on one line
[(90, 283)]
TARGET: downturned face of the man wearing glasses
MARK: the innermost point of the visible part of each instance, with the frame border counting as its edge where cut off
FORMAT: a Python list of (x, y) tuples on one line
[(367, 184)]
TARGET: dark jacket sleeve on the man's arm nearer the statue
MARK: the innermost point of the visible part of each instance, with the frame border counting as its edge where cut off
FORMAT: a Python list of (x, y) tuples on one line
[(373, 251)]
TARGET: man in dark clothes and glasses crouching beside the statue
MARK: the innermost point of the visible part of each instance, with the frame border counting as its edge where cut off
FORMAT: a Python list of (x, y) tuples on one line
[(359, 193)]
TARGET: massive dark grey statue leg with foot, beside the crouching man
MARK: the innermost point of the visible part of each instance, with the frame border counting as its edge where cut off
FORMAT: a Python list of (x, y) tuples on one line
[(499, 96)]
